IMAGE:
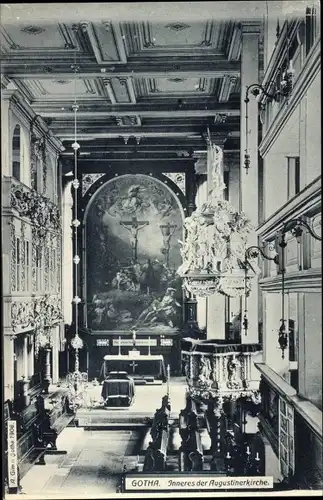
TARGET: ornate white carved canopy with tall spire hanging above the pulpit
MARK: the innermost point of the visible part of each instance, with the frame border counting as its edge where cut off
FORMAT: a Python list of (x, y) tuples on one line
[(216, 235)]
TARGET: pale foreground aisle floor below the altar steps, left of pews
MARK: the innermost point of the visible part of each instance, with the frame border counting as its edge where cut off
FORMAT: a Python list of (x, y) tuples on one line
[(92, 465)]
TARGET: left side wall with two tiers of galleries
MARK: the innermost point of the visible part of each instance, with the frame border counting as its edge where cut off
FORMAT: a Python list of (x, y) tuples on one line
[(26, 284)]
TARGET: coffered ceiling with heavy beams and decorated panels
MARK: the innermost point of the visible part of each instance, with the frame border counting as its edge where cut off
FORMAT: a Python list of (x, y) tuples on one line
[(149, 88)]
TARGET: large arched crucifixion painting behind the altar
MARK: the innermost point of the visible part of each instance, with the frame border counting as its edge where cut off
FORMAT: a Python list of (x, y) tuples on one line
[(133, 284)]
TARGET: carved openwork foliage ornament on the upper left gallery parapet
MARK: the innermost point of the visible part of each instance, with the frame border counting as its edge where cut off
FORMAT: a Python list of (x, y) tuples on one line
[(43, 214)]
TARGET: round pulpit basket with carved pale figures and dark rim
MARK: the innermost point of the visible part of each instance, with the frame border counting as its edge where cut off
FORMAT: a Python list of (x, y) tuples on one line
[(216, 368)]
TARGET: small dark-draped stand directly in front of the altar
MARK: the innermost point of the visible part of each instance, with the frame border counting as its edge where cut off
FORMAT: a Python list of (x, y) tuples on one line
[(118, 389)]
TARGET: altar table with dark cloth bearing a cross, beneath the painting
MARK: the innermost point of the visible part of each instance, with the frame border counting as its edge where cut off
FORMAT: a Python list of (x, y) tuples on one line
[(135, 365)]
